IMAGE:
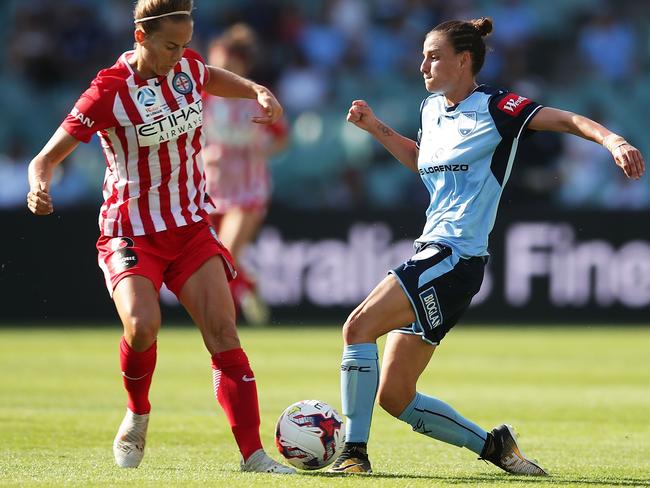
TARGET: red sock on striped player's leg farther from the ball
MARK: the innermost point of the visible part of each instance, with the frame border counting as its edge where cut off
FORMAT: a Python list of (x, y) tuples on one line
[(137, 371)]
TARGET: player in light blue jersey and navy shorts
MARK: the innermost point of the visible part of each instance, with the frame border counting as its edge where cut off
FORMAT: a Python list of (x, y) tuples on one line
[(465, 150)]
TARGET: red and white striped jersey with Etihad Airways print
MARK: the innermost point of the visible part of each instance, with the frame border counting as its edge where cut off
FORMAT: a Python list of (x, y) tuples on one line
[(150, 131)]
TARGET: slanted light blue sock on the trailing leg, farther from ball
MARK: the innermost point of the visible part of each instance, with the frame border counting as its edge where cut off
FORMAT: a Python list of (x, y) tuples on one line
[(434, 418)]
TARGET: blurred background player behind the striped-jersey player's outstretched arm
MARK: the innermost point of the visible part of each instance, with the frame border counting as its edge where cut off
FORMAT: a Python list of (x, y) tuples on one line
[(236, 155)]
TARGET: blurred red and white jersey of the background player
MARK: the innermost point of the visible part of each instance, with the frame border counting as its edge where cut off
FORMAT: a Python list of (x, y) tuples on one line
[(236, 153)]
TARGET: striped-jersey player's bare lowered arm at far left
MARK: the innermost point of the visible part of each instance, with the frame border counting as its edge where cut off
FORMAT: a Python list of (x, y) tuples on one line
[(60, 145)]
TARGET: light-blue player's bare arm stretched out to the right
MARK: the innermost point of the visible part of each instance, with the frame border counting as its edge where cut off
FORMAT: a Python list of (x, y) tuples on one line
[(627, 157)]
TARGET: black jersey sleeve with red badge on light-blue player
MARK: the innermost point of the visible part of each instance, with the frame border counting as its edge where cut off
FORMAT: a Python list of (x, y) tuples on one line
[(512, 113)]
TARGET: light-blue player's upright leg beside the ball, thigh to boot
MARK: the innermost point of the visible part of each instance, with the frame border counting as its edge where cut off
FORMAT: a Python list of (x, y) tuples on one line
[(384, 309)]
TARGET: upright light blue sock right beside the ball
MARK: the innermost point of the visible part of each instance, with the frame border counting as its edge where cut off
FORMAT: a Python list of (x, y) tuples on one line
[(359, 383)]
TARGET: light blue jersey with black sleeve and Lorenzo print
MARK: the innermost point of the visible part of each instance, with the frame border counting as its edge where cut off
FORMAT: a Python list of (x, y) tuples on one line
[(466, 156)]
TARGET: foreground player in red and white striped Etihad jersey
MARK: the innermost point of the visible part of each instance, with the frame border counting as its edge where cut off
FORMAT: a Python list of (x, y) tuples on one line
[(147, 110)]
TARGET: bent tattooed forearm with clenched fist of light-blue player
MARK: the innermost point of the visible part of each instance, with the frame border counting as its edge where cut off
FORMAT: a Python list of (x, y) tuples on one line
[(404, 149)]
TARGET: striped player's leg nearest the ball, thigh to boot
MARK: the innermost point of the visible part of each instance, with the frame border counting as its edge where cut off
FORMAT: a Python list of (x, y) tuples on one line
[(206, 297)]
